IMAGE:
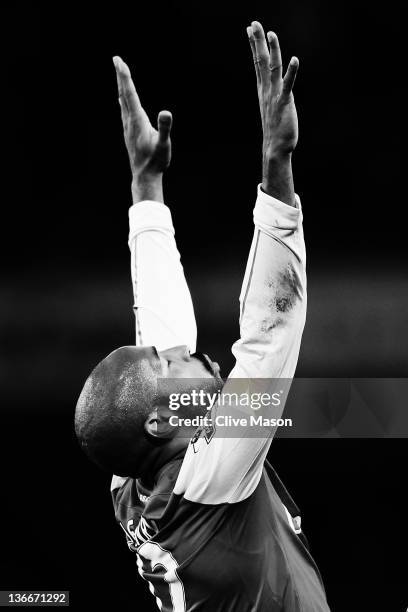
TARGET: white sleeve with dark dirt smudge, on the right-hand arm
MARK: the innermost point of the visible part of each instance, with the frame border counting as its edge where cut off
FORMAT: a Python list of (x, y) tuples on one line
[(222, 468)]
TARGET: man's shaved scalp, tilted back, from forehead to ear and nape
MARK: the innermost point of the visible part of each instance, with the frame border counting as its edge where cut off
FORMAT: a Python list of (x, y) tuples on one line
[(113, 406)]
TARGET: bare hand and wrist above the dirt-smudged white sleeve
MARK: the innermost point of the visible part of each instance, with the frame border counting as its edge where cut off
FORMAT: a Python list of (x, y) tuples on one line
[(278, 111)]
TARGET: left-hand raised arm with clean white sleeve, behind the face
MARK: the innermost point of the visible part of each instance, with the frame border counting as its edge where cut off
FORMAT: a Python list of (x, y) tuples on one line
[(162, 302)]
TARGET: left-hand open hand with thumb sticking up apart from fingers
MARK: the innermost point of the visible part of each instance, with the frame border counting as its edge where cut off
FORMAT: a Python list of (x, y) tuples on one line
[(149, 149)]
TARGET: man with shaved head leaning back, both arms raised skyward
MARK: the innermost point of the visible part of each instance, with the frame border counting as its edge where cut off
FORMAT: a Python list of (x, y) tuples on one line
[(211, 524)]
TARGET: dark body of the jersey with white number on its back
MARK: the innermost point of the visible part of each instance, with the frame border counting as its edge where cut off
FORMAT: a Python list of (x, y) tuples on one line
[(226, 557)]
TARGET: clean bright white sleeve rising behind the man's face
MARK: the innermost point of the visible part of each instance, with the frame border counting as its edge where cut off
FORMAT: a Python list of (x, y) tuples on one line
[(162, 302)]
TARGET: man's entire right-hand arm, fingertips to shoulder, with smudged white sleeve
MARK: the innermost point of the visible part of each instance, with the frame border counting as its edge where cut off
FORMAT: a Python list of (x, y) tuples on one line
[(225, 465)]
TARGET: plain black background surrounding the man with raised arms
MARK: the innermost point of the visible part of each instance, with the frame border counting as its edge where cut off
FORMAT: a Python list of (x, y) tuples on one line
[(66, 295)]
